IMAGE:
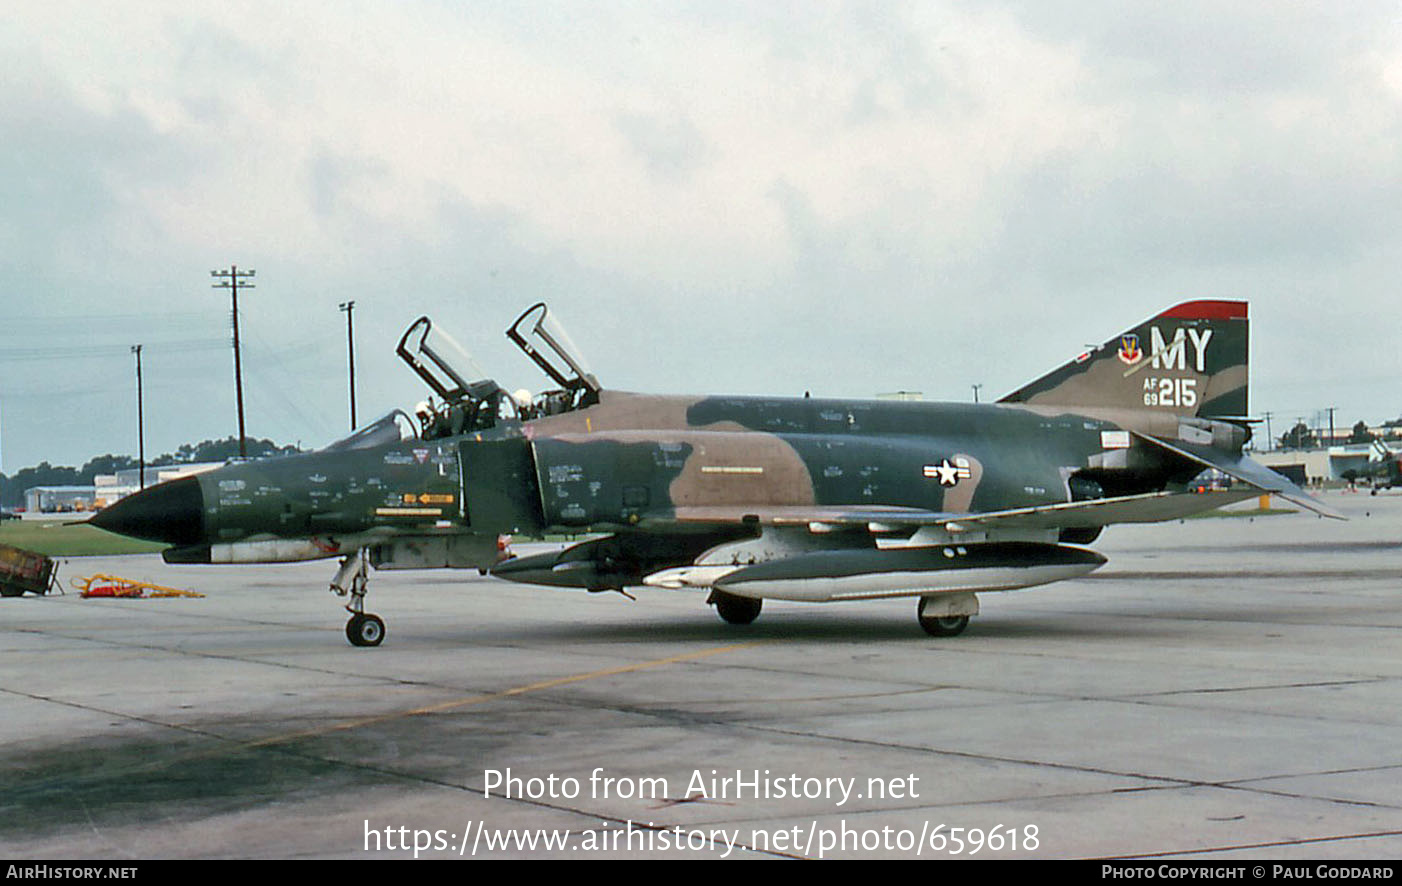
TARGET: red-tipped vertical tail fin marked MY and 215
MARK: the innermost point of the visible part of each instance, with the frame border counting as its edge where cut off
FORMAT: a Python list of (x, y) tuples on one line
[(1190, 361)]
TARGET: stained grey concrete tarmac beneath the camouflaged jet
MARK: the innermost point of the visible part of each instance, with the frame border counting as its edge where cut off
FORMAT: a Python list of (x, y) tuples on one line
[(1222, 689)]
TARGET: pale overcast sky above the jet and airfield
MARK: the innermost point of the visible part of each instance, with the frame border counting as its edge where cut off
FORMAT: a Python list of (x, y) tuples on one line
[(845, 198)]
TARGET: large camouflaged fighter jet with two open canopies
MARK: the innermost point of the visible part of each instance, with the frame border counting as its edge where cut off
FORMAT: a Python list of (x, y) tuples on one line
[(748, 498)]
